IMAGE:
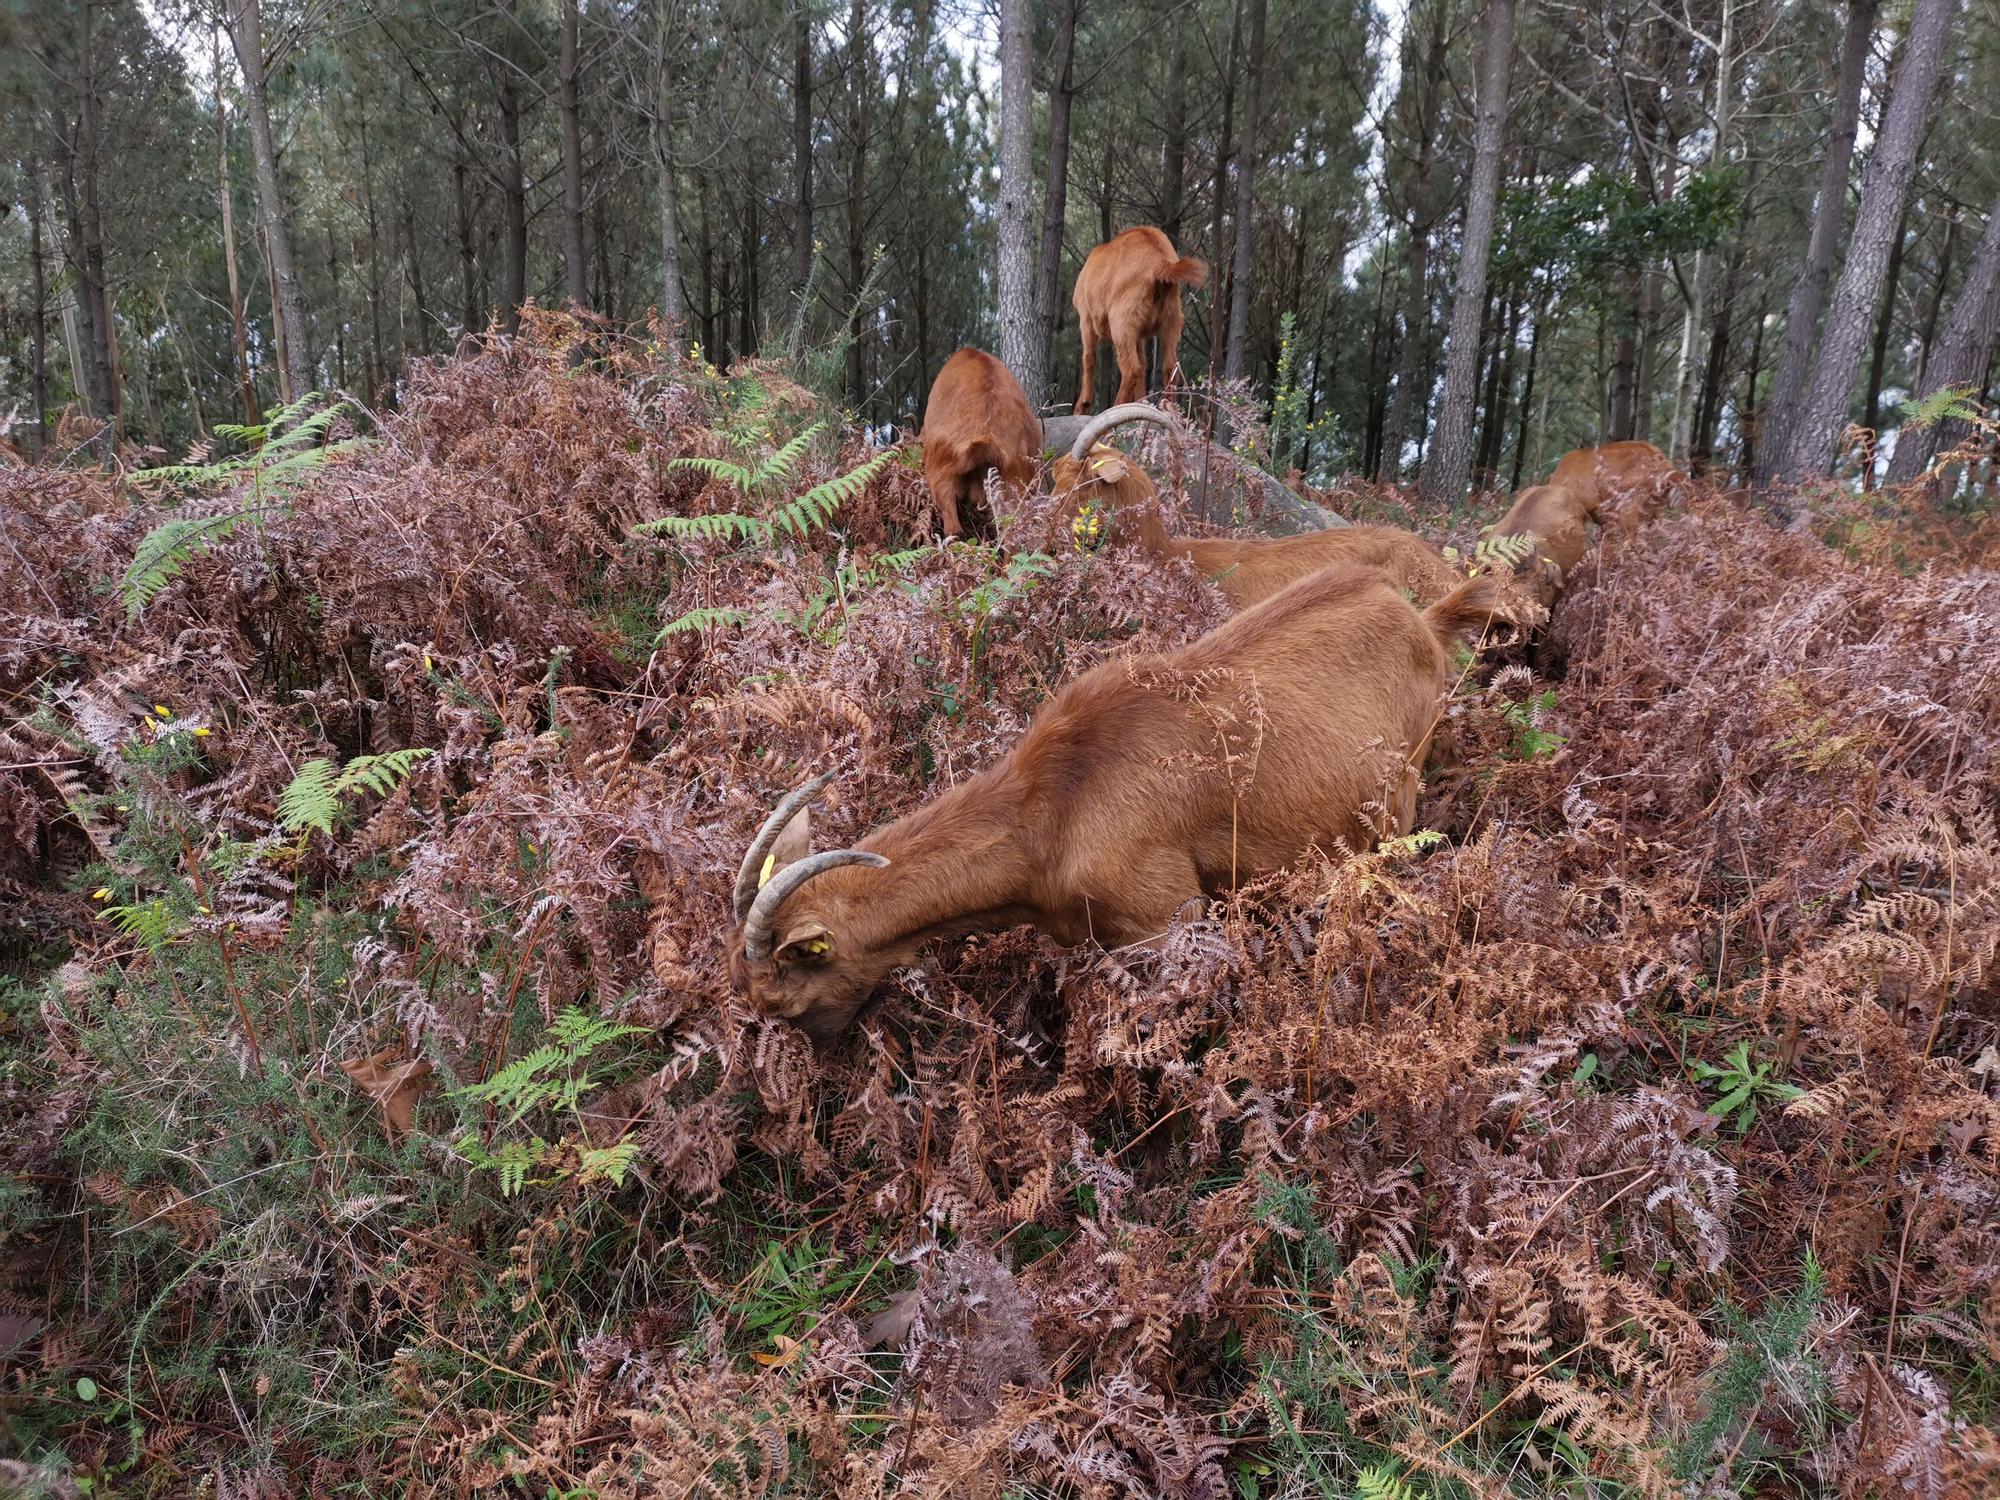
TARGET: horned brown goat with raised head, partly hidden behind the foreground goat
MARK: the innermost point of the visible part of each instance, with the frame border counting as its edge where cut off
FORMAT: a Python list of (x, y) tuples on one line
[(1249, 571)]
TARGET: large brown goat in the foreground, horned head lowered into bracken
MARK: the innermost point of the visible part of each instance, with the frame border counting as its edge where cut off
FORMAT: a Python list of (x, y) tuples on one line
[(1139, 789)]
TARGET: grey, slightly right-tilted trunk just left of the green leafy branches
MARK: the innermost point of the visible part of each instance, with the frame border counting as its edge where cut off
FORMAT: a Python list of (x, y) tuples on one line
[(1445, 465)]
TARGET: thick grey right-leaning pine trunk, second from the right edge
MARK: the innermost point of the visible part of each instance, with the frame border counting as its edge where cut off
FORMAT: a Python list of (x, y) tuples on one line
[(1885, 191)]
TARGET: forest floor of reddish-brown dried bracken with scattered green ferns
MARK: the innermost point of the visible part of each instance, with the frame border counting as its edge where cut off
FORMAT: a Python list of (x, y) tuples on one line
[(381, 1121)]
